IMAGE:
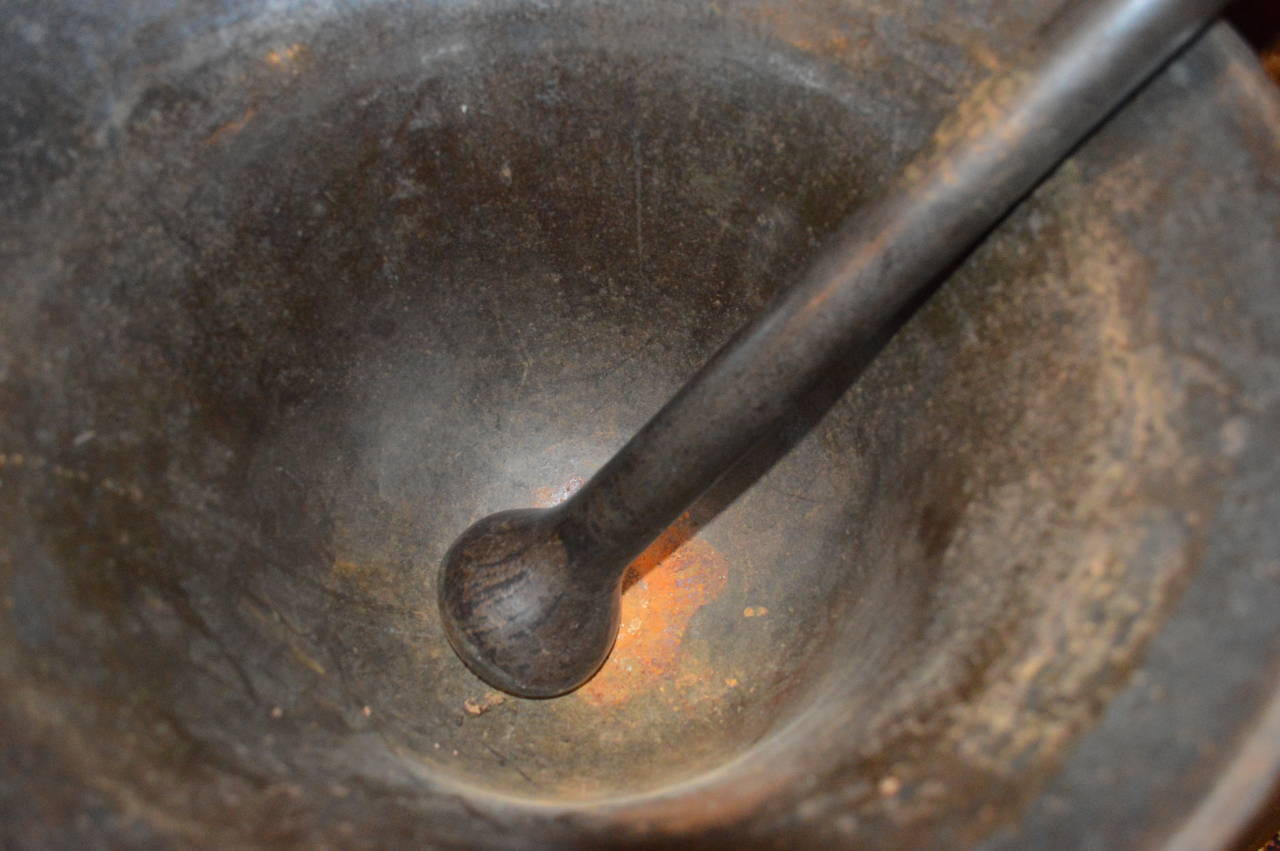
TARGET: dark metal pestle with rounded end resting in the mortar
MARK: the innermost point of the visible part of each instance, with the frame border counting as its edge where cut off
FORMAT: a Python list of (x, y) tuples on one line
[(531, 598)]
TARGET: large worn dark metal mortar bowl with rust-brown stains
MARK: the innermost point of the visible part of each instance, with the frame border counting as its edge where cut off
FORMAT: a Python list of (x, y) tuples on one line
[(292, 294)]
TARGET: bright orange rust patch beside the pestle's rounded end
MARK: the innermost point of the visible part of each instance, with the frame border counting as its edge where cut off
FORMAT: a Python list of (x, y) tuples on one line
[(665, 587)]
